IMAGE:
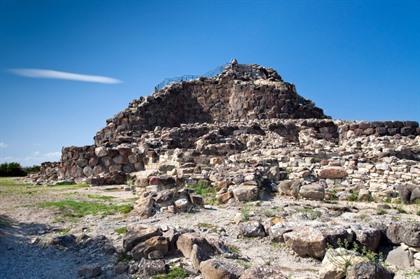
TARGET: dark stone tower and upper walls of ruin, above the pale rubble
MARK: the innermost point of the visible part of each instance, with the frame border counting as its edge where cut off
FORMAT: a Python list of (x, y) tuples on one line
[(206, 117)]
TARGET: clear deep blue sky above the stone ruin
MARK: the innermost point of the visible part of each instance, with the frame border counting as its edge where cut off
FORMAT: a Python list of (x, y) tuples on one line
[(357, 60)]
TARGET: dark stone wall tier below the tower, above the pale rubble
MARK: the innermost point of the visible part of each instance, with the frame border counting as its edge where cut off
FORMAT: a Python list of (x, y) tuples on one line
[(109, 164)]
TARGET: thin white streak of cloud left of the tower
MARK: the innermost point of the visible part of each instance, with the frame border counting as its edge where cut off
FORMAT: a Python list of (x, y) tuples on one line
[(53, 74)]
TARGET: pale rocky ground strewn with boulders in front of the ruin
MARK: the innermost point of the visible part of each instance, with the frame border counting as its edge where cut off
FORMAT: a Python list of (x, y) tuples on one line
[(49, 242)]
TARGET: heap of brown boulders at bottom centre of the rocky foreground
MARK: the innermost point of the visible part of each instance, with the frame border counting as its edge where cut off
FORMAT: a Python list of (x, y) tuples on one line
[(154, 248)]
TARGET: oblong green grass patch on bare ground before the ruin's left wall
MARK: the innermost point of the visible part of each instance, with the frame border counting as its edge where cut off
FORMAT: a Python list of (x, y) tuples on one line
[(76, 209)]
